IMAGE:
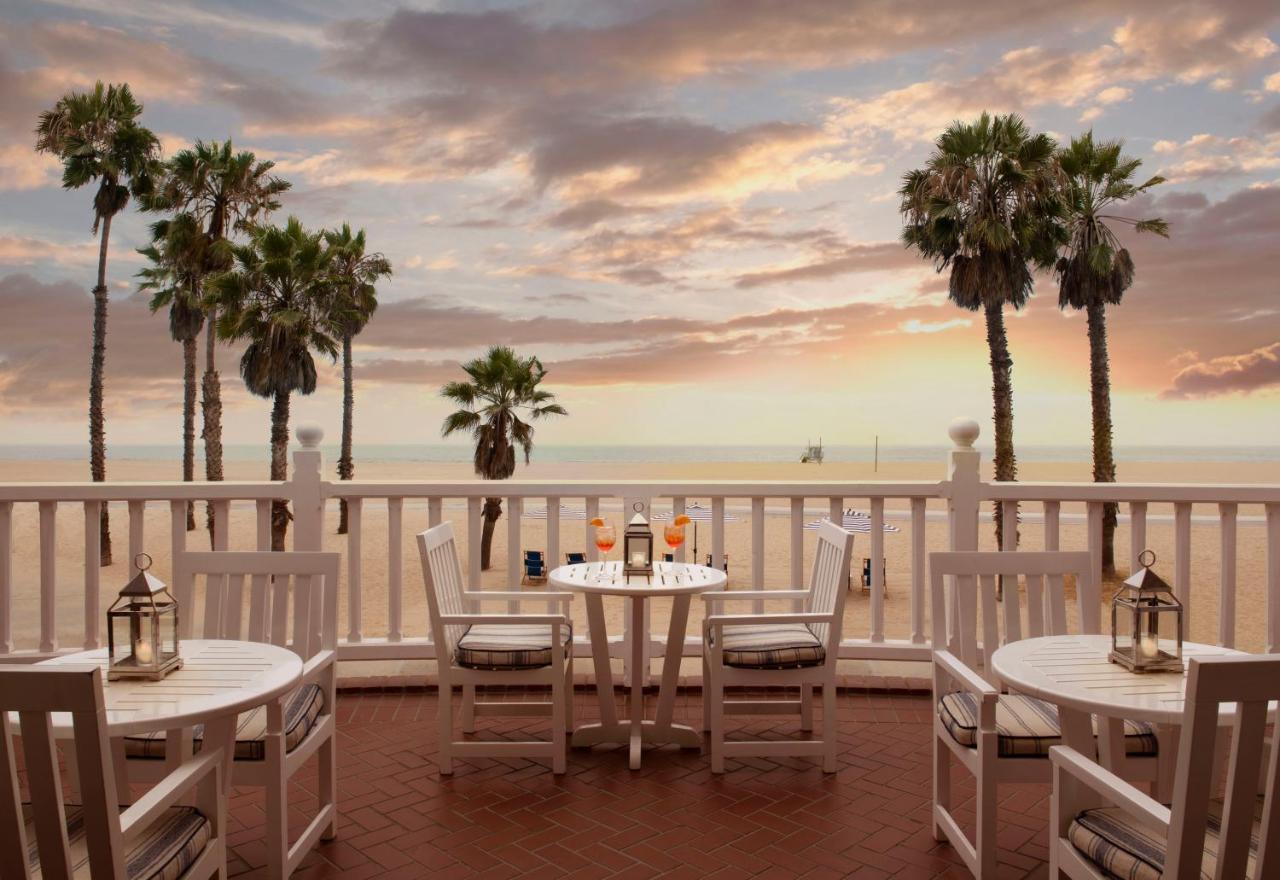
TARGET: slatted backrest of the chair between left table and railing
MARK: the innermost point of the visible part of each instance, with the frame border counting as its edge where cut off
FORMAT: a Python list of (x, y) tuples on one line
[(263, 613)]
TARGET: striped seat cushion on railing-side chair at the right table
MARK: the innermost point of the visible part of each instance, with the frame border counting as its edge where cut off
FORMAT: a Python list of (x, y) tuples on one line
[(1026, 727)]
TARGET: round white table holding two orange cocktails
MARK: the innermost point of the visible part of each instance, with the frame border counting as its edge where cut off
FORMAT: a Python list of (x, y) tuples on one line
[(676, 580)]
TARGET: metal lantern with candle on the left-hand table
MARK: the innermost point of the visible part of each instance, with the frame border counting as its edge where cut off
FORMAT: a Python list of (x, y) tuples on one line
[(143, 629)]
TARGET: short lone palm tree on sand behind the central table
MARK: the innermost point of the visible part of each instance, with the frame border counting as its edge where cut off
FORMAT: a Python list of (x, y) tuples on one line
[(502, 387)]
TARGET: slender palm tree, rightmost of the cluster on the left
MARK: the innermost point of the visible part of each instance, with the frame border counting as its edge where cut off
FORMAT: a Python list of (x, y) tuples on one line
[(354, 274)]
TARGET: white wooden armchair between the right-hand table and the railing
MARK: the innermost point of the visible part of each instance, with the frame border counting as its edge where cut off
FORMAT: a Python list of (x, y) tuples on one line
[(1003, 737)]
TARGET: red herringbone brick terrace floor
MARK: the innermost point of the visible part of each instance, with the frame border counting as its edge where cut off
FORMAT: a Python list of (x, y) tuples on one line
[(671, 819)]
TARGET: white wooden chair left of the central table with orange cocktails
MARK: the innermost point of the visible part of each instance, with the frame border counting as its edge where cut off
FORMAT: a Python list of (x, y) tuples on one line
[(476, 649)]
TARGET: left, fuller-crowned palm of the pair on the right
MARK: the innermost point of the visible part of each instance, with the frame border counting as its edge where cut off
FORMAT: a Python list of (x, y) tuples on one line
[(985, 208)]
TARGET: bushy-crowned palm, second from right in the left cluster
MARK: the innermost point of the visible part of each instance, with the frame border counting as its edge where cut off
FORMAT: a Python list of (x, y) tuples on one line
[(278, 299)]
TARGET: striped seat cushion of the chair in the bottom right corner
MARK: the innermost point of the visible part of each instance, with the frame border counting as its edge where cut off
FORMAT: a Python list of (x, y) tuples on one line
[(1123, 847)]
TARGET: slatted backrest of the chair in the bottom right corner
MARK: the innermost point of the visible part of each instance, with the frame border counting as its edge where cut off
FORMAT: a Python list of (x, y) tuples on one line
[(1251, 684)]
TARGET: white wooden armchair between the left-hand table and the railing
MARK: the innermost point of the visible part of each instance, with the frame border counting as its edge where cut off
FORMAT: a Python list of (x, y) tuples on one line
[(287, 599)]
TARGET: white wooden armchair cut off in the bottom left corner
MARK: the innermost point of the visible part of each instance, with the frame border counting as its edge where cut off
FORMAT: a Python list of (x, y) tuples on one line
[(176, 831)]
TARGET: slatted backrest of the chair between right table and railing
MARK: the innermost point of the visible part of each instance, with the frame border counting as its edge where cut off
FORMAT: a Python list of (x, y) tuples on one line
[(973, 630)]
